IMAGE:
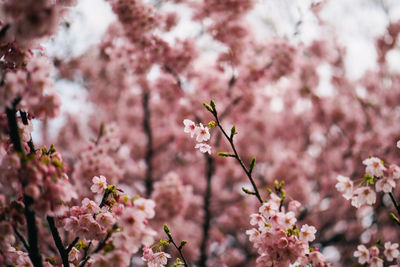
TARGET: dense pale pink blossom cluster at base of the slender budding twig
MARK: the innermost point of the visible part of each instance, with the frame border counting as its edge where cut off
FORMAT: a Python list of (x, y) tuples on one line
[(277, 238)]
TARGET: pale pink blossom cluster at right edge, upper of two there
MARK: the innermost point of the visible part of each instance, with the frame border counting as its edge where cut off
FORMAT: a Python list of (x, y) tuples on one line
[(383, 177)]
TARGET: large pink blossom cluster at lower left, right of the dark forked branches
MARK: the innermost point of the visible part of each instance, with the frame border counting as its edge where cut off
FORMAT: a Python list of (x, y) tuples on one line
[(118, 223)]
